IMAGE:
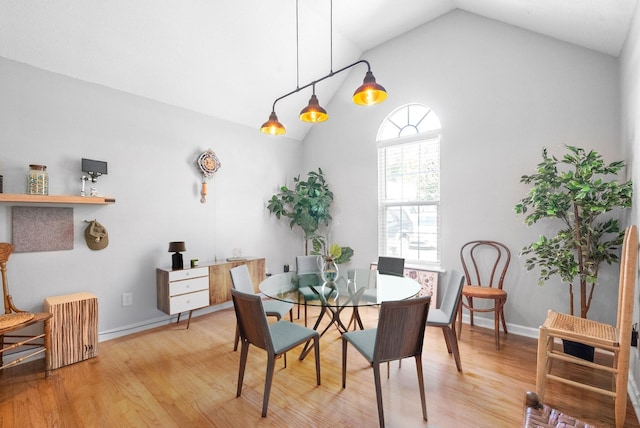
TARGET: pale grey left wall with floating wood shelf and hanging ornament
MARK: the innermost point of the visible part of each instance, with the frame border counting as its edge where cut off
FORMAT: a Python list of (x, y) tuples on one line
[(151, 149)]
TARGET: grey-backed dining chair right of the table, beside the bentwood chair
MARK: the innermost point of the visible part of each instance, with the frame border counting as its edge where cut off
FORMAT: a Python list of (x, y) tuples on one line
[(445, 316)]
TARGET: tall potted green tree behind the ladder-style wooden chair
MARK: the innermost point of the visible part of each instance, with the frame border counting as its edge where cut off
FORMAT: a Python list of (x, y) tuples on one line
[(576, 192)]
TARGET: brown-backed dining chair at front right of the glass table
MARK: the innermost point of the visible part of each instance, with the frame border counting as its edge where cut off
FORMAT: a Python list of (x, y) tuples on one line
[(400, 334)]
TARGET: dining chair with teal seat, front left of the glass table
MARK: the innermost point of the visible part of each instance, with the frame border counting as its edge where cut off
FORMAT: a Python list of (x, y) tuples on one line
[(276, 339)]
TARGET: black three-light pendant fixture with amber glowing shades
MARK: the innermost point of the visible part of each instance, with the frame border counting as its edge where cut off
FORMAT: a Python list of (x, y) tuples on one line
[(369, 93)]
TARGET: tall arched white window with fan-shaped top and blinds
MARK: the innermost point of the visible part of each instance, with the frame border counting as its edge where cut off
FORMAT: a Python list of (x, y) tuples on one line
[(409, 184)]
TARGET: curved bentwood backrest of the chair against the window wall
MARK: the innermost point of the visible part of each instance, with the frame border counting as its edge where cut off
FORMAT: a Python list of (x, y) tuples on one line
[(485, 263)]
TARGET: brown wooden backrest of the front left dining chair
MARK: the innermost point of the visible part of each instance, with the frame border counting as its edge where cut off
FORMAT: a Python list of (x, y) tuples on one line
[(252, 322)]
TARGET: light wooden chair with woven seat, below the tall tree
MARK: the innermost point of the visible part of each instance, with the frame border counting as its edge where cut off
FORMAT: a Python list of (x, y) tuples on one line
[(614, 340)]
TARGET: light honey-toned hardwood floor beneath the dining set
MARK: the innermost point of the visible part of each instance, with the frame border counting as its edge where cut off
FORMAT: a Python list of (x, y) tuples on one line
[(173, 377)]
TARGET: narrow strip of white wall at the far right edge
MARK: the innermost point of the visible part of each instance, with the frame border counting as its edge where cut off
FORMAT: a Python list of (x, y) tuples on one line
[(630, 121)]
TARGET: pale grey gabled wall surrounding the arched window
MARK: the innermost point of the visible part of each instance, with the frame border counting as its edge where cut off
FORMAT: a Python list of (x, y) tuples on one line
[(502, 93)]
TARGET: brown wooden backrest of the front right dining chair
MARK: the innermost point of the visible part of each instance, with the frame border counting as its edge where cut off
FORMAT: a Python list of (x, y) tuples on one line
[(401, 327)]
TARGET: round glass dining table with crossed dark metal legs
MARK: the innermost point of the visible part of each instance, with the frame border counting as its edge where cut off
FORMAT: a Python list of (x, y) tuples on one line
[(358, 287)]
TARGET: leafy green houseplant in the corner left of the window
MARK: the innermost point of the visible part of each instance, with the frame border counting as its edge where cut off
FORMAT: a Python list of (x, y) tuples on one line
[(308, 206)]
